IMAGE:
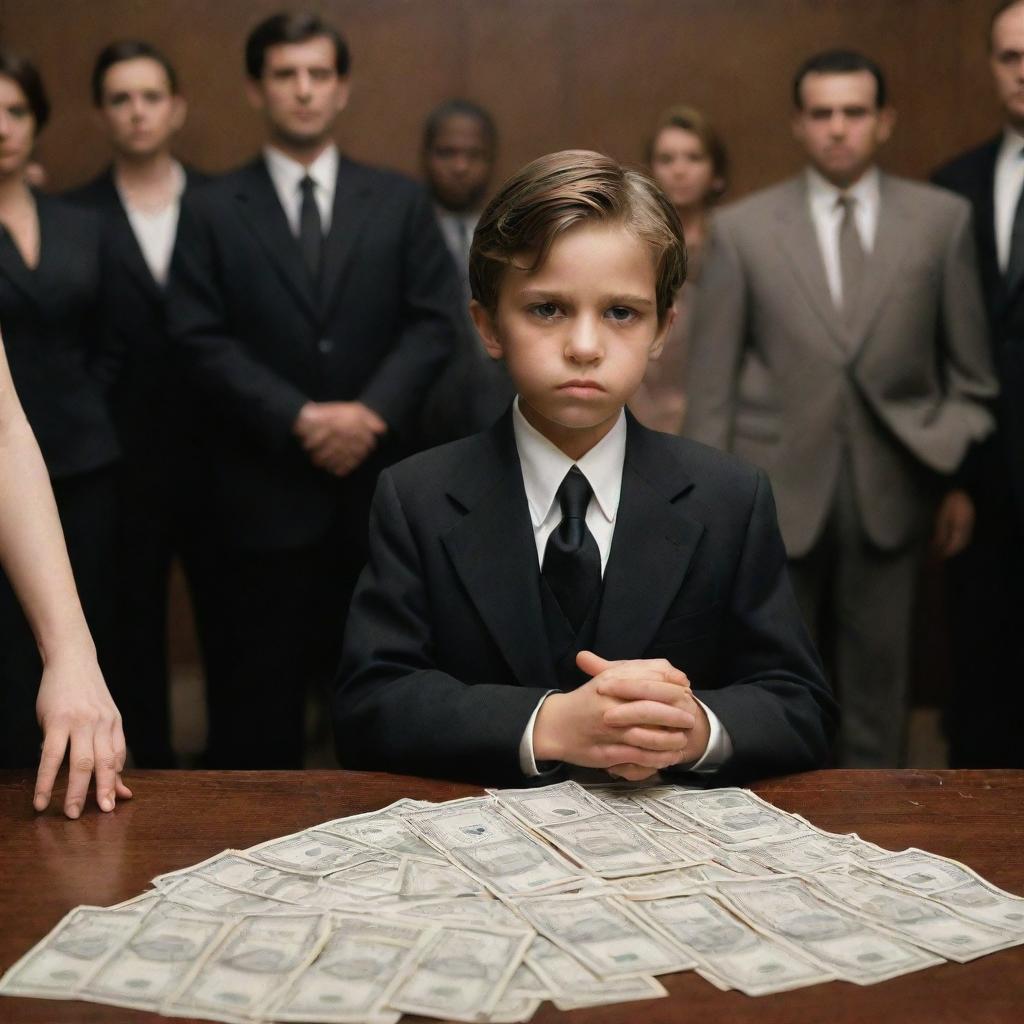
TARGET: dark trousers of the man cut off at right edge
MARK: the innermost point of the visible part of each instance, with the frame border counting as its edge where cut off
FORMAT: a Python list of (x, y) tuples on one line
[(986, 717)]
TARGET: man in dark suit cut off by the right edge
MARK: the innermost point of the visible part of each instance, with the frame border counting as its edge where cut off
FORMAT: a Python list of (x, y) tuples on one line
[(987, 717)]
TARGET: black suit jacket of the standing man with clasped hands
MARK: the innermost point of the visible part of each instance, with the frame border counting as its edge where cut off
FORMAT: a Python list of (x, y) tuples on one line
[(261, 343)]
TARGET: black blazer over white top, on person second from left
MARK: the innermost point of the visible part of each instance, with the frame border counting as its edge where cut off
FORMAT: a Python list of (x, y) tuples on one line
[(152, 410)]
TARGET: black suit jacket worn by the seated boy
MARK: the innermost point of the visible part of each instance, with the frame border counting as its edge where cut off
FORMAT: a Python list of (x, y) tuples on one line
[(446, 654)]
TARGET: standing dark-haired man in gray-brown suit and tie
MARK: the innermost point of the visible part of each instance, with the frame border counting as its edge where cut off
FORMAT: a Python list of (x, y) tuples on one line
[(841, 345)]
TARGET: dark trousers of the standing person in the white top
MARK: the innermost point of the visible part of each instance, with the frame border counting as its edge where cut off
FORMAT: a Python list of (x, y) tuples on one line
[(161, 519)]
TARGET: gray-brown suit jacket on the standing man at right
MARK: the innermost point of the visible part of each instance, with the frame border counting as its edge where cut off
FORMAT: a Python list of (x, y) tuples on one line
[(780, 379)]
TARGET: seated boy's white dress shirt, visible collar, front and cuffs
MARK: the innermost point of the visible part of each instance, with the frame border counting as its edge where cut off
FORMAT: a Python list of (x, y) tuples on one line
[(544, 468)]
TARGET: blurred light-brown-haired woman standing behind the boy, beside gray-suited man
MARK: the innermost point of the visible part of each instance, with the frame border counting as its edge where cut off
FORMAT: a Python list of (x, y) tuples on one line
[(689, 160)]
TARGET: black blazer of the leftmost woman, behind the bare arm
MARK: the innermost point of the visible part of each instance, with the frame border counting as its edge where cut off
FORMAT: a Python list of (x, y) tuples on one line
[(57, 348)]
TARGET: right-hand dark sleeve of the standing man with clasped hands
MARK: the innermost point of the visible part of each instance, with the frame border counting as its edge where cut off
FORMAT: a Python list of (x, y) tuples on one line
[(430, 304)]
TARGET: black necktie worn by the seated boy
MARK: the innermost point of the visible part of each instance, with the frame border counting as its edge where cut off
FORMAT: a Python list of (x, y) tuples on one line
[(572, 561)]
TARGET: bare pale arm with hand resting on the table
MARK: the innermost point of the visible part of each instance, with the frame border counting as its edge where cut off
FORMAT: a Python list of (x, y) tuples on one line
[(74, 707)]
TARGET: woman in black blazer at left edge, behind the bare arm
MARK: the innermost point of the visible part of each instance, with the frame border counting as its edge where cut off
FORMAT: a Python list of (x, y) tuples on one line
[(51, 282)]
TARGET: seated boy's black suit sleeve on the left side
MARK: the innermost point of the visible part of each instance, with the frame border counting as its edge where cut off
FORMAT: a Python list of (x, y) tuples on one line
[(394, 710)]
